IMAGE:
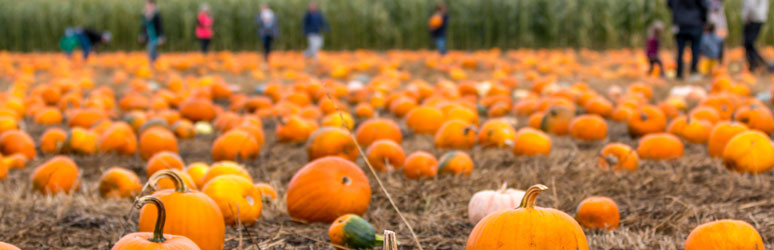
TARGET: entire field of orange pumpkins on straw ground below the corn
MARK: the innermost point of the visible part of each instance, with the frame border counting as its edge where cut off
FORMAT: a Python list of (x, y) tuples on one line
[(237, 154)]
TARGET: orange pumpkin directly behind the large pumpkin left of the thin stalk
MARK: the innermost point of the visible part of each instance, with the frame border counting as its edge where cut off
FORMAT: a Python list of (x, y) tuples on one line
[(331, 141)]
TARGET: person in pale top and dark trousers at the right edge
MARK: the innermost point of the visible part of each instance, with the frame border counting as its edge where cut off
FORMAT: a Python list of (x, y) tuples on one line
[(754, 14)]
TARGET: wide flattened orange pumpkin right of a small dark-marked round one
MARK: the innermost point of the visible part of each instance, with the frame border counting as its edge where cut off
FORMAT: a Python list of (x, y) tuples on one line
[(660, 146)]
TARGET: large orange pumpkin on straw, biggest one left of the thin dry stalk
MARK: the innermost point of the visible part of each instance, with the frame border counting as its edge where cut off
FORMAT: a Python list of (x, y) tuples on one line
[(327, 188)]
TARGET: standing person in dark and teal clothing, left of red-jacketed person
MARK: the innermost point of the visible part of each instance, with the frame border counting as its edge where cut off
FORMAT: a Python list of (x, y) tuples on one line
[(152, 31)]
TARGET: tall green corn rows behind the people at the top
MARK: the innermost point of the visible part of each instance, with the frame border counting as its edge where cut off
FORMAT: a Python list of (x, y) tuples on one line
[(31, 25)]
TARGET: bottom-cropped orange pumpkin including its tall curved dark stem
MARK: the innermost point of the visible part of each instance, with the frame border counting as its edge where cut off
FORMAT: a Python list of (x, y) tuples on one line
[(157, 240)]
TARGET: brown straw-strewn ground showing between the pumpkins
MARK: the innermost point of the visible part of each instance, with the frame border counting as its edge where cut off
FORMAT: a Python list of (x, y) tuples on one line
[(659, 204)]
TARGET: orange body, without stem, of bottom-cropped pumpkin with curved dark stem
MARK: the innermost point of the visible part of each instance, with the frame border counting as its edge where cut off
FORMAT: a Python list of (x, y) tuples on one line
[(139, 241)]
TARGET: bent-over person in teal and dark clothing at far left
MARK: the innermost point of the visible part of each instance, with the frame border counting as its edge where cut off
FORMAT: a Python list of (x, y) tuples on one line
[(86, 38)]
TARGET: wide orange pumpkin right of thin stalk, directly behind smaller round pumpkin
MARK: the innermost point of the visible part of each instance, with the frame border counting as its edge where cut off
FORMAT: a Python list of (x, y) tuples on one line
[(378, 128)]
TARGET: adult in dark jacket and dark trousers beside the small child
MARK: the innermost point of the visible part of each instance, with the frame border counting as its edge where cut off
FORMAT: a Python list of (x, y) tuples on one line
[(688, 19)]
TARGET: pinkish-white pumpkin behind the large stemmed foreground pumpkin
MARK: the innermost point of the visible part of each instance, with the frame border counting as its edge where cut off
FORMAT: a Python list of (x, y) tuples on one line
[(487, 202)]
